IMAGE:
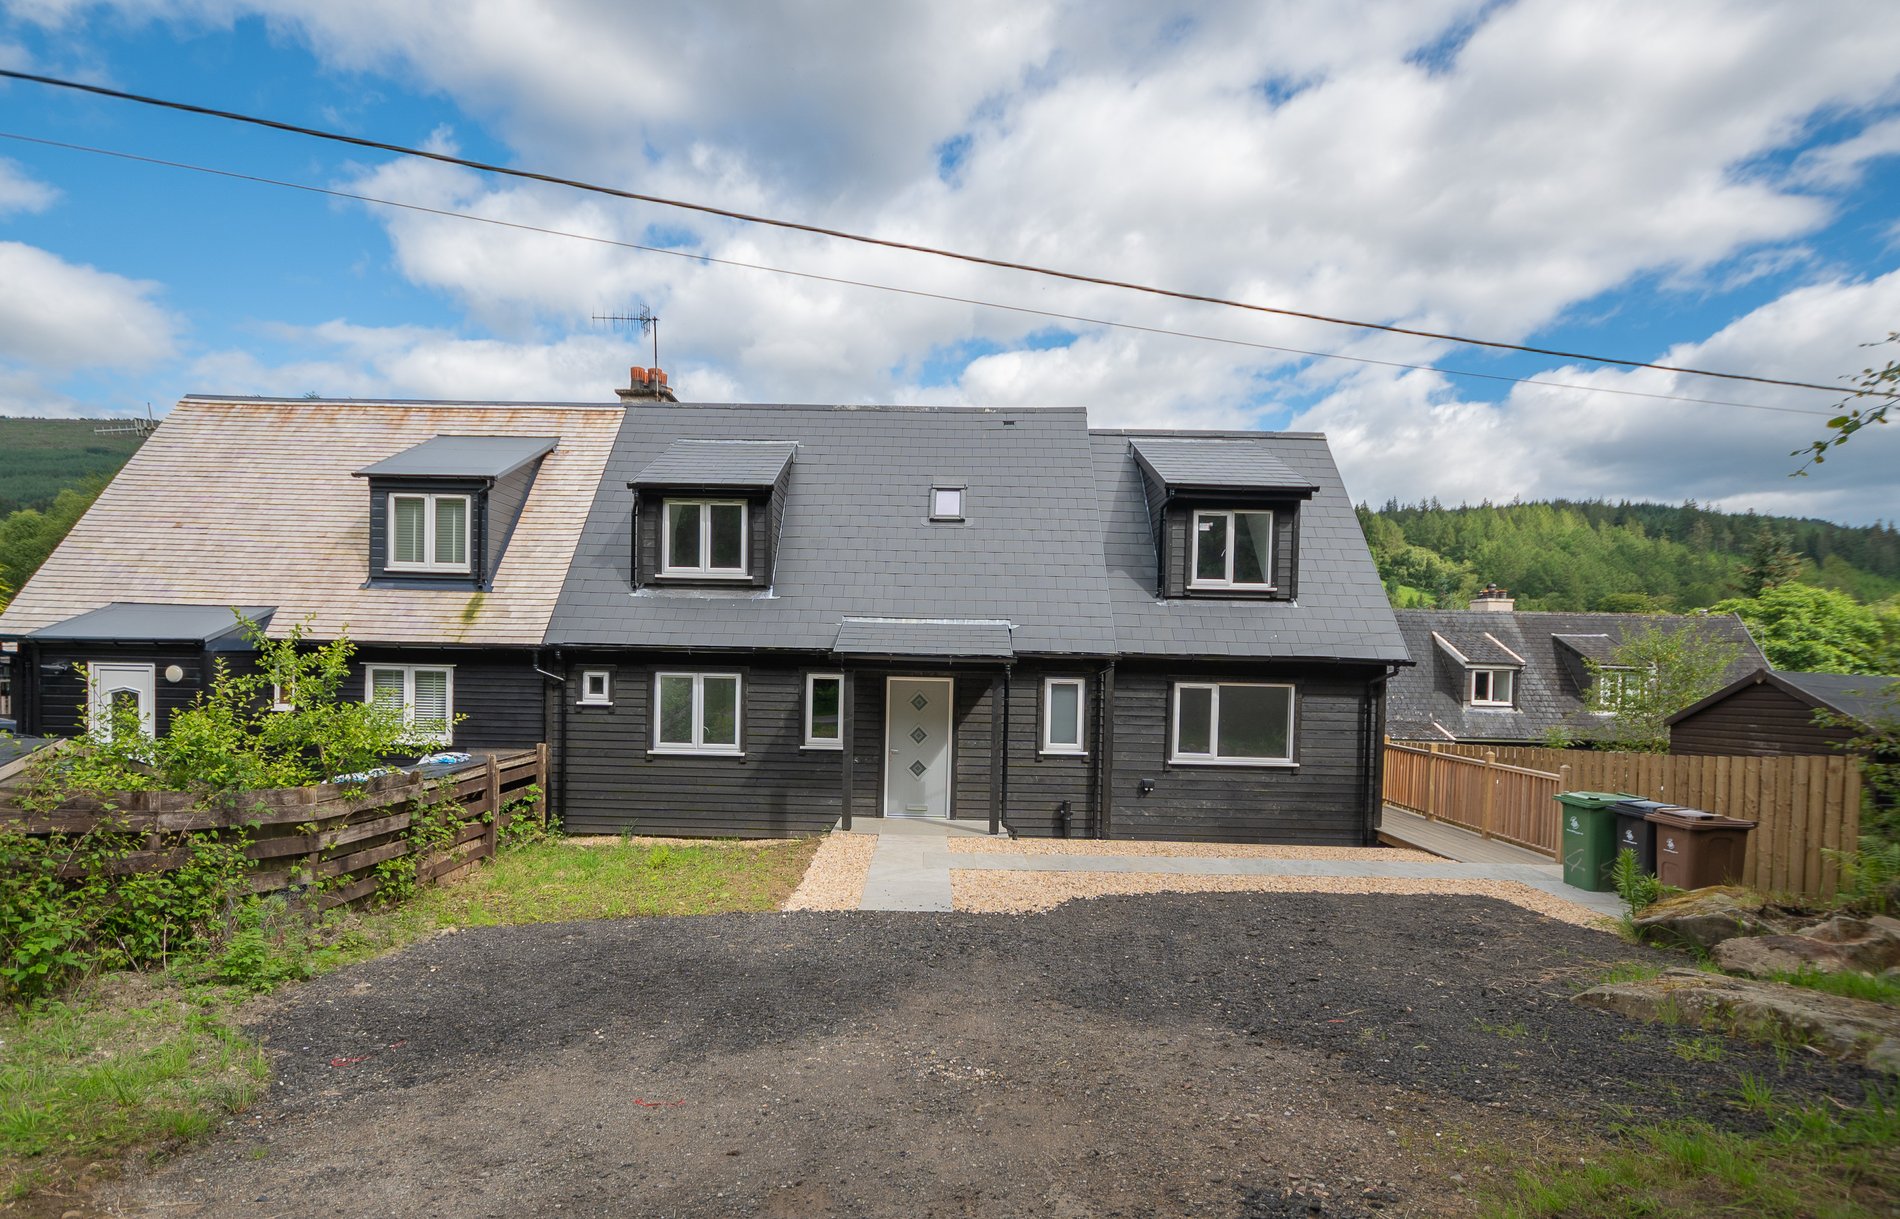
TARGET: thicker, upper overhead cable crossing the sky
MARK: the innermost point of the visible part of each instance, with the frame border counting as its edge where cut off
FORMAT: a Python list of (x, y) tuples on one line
[(890, 244)]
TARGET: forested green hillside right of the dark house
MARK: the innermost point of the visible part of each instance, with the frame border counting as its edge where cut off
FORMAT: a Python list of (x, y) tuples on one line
[(1631, 557)]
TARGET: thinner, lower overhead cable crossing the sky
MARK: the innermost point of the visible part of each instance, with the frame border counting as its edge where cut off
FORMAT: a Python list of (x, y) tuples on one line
[(886, 288)]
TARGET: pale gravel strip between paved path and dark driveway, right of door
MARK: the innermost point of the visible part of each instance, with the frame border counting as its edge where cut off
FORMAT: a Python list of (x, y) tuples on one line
[(983, 891)]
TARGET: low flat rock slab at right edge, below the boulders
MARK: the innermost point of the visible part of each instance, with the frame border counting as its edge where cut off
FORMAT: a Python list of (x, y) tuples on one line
[(1853, 1030)]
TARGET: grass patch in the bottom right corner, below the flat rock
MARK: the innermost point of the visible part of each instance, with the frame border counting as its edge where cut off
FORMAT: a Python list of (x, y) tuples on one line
[(1808, 1163)]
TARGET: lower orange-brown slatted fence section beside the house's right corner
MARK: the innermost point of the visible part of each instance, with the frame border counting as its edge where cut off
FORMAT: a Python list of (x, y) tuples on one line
[(1506, 802)]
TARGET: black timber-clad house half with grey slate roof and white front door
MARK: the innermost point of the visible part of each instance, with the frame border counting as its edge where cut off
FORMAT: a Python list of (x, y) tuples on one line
[(782, 616)]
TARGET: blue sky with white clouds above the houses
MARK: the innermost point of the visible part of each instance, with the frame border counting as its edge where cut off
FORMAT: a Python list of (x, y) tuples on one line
[(1709, 183)]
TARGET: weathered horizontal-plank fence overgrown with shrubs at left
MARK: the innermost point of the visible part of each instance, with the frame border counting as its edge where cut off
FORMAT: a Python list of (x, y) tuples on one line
[(328, 835)]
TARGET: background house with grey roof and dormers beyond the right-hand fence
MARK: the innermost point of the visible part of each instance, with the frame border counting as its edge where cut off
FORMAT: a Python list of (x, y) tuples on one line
[(1496, 675)]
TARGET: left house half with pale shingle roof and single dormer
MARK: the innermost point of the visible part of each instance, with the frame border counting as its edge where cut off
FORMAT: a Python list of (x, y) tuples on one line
[(434, 534)]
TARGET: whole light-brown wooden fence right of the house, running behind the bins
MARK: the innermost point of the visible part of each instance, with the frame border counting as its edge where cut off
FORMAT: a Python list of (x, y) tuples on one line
[(1802, 806)]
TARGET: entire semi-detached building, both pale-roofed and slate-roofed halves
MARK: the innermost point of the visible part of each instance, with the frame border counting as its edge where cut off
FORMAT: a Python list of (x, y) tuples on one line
[(742, 620)]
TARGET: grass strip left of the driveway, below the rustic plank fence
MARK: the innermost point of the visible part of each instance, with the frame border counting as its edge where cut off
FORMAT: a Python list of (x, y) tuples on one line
[(151, 1060)]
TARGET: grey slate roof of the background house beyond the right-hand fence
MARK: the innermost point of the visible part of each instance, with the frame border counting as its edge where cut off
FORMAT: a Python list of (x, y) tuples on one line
[(1428, 703)]
